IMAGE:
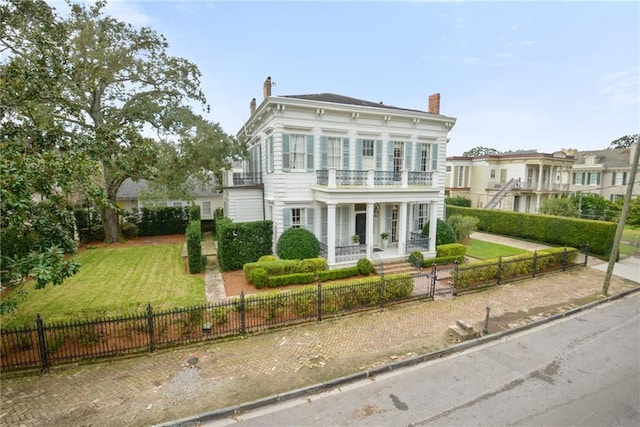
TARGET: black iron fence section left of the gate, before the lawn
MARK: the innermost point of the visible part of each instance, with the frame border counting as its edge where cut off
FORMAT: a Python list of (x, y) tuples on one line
[(45, 345)]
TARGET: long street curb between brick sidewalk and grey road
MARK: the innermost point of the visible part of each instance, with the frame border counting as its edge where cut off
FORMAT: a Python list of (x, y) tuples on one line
[(332, 384)]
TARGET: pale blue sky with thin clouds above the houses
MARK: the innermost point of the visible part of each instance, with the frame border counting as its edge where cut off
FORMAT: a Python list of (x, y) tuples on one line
[(537, 75)]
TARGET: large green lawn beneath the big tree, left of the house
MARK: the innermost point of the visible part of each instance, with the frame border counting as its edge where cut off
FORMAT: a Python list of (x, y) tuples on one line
[(114, 281)]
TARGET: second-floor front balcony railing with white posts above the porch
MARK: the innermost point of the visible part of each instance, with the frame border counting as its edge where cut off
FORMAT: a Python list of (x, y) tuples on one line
[(334, 178)]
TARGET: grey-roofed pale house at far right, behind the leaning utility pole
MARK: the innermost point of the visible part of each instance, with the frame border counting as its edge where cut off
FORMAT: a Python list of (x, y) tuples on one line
[(604, 172)]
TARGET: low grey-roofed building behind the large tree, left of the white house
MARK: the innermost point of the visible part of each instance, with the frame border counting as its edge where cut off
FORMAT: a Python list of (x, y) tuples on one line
[(128, 198)]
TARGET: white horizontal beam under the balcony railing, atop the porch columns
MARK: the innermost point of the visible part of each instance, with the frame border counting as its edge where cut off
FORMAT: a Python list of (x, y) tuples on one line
[(376, 195)]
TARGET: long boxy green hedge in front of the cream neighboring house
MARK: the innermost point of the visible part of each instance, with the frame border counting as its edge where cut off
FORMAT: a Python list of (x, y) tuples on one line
[(555, 230)]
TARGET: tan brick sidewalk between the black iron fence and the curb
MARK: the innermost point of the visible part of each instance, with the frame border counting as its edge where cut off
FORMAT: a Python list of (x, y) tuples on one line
[(164, 386)]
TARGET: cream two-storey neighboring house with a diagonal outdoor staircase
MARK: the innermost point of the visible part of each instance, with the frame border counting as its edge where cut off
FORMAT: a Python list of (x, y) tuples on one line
[(518, 181)]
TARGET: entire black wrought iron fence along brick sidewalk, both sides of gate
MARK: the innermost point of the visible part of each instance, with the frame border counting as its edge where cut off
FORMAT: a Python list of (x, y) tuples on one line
[(44, 345)]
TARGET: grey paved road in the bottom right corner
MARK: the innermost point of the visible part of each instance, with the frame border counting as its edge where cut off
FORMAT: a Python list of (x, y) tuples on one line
[(584, 371)]
